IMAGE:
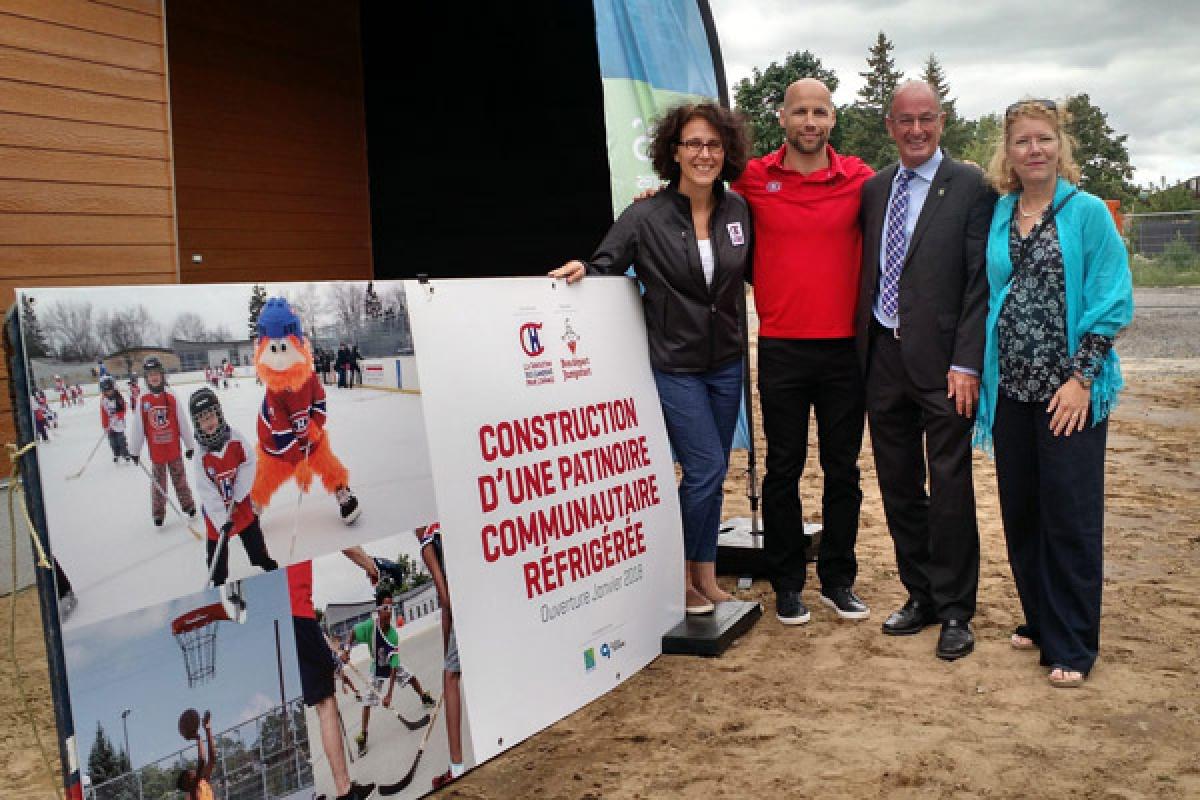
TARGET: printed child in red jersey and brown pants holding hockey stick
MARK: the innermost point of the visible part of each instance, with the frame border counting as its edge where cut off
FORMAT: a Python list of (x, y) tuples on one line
[(165, 428)]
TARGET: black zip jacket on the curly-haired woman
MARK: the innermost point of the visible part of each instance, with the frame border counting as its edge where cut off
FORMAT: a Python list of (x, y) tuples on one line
[(691, 326)]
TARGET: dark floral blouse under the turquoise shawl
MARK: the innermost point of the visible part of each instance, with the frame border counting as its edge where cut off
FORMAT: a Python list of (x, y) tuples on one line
[(1033, 326)]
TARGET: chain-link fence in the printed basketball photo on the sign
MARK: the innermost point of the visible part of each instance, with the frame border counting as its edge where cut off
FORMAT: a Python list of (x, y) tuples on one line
[(263, 759)]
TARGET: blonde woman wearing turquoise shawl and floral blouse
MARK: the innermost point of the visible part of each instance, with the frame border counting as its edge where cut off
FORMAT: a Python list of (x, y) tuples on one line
[(1060, 292)]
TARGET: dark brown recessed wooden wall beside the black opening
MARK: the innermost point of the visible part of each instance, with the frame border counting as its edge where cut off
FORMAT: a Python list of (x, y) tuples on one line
[(271, 141)]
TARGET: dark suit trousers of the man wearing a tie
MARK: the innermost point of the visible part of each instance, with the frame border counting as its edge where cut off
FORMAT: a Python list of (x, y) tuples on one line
[(935, 533)]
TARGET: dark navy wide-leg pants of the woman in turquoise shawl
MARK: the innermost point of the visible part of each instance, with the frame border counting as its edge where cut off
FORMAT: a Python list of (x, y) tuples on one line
[(1052, 501)]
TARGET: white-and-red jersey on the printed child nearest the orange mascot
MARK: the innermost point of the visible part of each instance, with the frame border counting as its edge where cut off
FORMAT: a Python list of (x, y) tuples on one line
[(223, 482)]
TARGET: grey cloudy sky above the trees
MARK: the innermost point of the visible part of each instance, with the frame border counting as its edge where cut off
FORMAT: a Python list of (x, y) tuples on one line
[(1137, 61)]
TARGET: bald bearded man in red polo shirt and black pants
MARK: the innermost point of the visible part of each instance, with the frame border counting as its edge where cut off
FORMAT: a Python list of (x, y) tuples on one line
[(807, 264)]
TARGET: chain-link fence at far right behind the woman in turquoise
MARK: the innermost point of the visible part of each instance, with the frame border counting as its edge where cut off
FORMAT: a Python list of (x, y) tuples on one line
[(1165, 248)]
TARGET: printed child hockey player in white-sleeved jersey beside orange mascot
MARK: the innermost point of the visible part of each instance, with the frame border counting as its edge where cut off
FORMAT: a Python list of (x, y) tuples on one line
[(224, 474)]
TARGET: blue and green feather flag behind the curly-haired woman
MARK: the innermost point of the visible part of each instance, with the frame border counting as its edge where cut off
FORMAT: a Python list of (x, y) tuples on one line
[(655, 55)]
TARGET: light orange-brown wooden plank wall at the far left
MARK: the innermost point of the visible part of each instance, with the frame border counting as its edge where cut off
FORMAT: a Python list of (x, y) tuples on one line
[(86, 179)]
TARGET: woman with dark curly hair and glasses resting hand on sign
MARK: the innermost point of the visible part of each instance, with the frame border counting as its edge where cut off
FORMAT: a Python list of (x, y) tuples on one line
[(691, 248)]
